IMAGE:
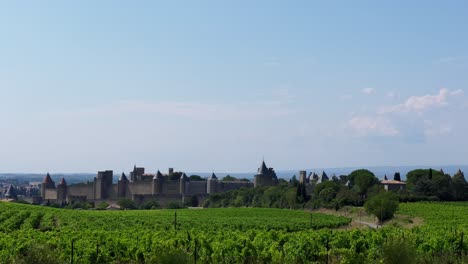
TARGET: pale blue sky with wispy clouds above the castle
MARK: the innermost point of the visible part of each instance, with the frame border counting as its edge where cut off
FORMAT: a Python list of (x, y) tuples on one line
[(220, 85)]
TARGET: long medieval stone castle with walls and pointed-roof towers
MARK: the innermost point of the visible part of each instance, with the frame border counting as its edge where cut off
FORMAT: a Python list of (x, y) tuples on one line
[(144, 186)]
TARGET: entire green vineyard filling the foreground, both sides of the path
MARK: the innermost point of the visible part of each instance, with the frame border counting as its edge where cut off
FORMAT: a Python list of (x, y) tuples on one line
[(34, 234)]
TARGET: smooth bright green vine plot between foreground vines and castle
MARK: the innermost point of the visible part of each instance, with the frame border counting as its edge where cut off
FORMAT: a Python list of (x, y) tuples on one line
[(16, 216)]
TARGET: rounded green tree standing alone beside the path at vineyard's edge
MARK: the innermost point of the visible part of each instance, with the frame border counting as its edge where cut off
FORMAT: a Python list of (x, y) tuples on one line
[(382, 205)]
